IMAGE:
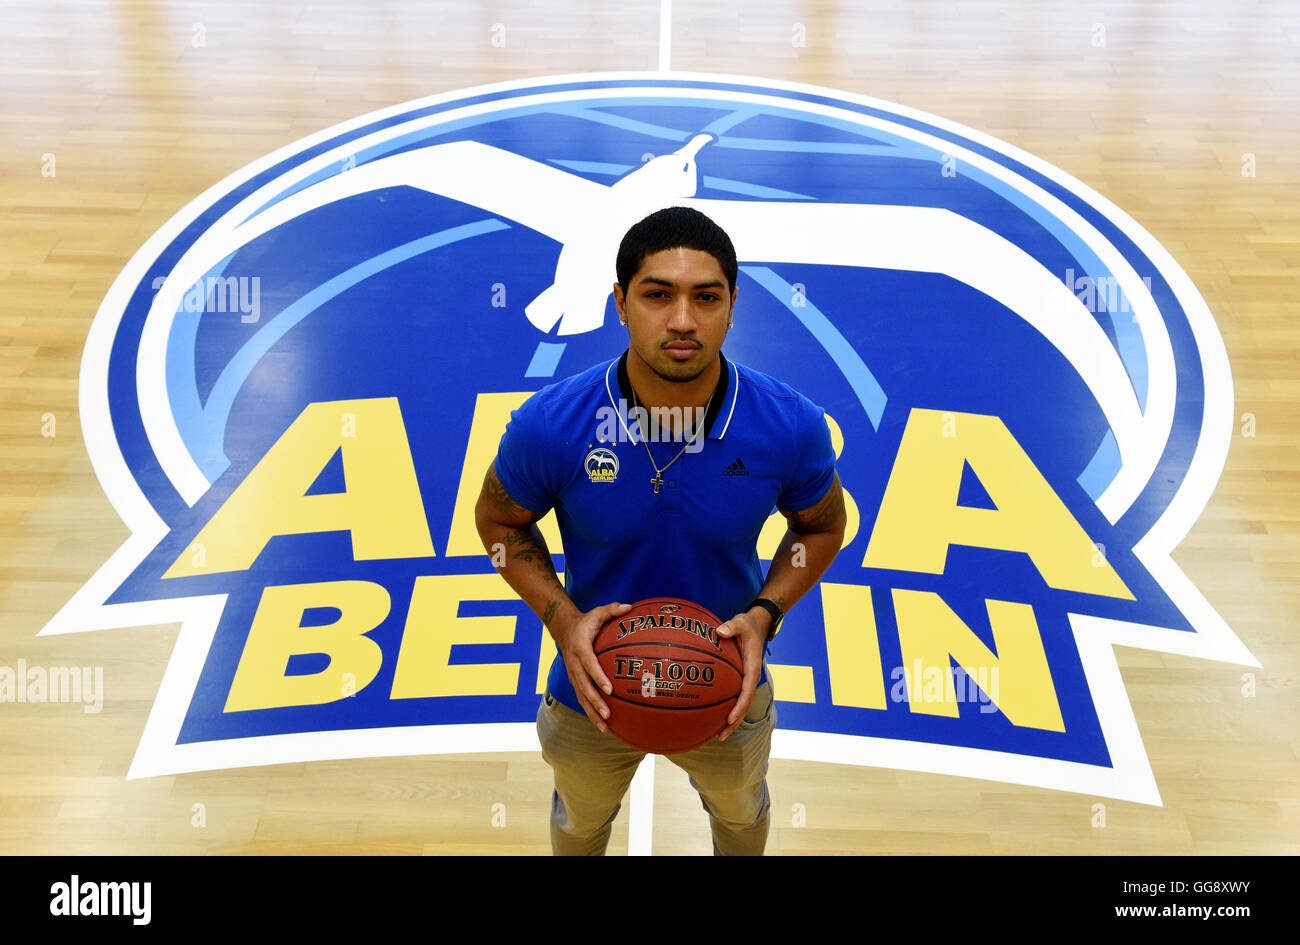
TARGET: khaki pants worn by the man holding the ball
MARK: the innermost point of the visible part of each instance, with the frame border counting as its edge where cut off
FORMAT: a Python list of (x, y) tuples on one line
[(593, 770)]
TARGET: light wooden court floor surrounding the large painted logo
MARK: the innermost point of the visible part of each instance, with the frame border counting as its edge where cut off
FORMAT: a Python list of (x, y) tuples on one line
[(1185, 115)]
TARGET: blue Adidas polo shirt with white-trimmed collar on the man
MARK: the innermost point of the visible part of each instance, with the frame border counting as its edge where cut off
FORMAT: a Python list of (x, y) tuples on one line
[(578, 448)]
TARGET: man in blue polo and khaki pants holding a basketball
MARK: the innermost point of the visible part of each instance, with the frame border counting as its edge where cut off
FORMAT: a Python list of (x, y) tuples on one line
[(669, 509)]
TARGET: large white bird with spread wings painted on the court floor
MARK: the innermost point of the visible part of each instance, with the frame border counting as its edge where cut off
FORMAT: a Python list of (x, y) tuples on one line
[(590, 220)]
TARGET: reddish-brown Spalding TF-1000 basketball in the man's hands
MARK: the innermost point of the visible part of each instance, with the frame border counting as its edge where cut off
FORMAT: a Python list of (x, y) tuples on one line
[(675, 680)]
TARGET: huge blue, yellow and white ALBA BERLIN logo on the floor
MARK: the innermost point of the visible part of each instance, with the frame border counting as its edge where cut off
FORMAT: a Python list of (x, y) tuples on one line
[(293, 391)]
